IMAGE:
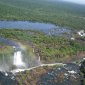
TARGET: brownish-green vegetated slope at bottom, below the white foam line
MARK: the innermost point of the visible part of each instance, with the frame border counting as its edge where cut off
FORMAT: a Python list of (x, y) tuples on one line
[(31, 77)]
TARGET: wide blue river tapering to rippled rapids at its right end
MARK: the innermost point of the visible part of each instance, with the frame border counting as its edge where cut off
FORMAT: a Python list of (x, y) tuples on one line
[(45, 27)]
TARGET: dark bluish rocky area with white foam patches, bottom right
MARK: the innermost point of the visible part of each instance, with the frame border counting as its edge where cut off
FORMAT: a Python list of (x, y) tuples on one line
[(67, 75)]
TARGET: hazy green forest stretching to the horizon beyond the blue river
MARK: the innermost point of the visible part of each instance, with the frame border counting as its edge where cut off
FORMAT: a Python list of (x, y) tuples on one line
[(60, 13)]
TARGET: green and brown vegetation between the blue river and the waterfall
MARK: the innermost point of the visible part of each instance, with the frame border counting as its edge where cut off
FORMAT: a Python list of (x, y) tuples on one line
[(49, 48)]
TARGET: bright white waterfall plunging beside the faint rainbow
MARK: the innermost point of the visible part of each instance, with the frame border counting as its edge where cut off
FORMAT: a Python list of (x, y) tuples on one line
[(18, 59)]
